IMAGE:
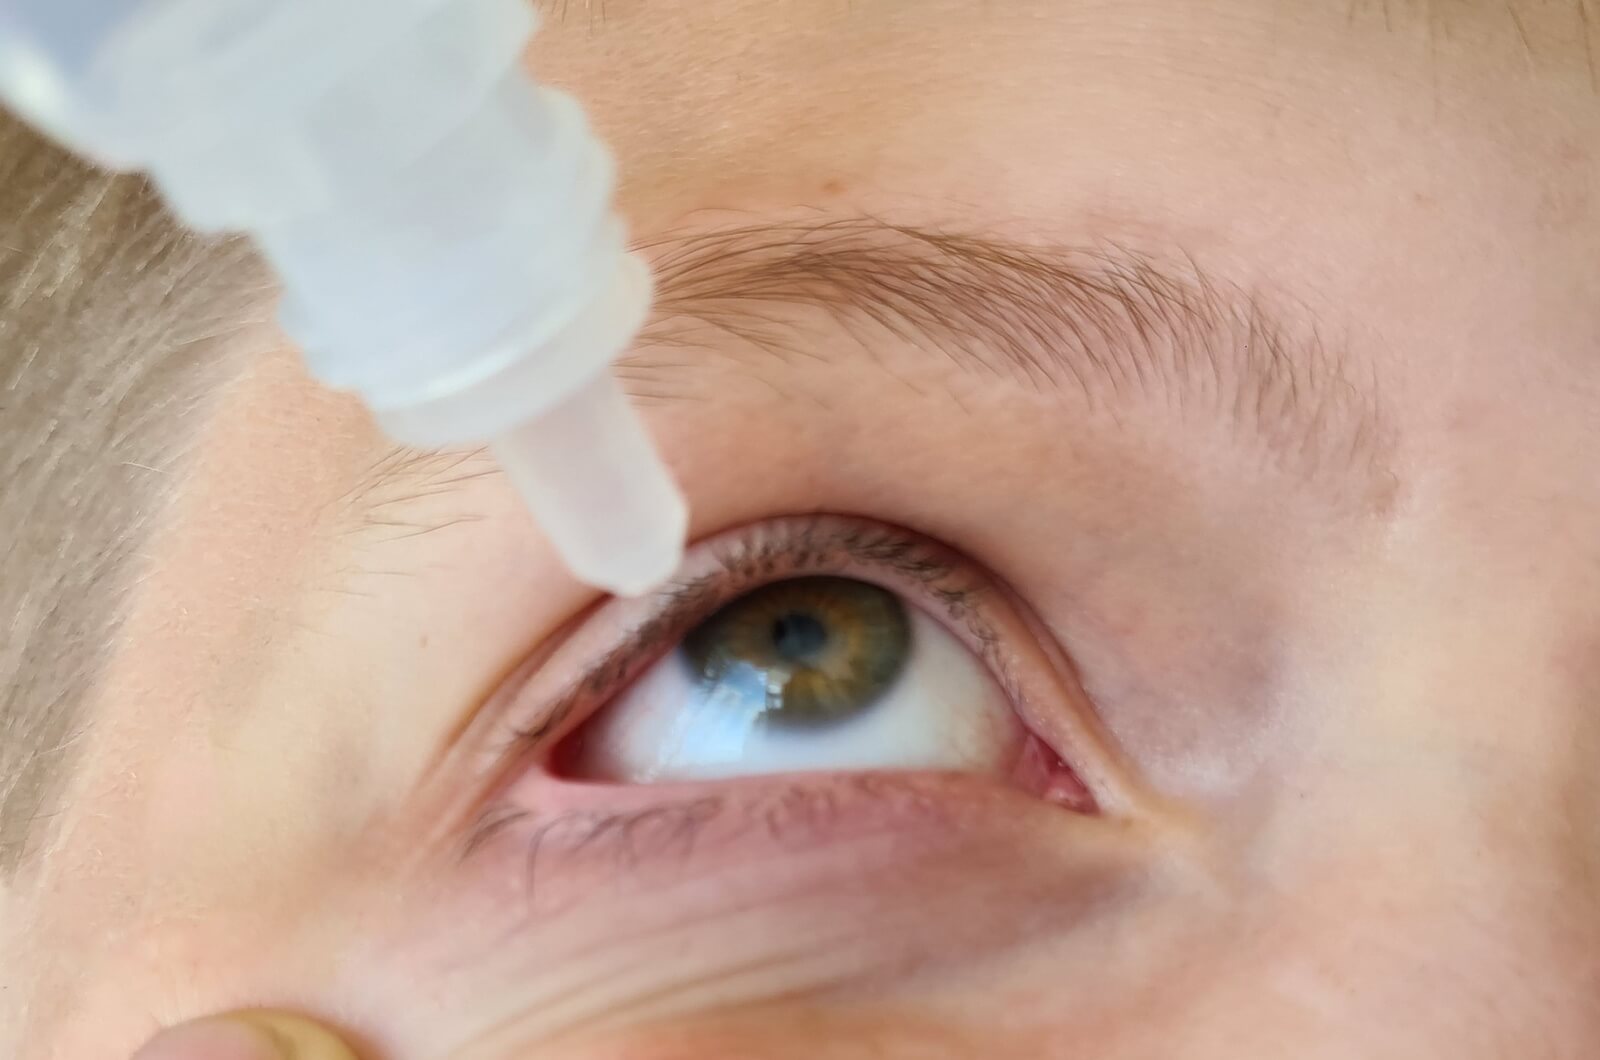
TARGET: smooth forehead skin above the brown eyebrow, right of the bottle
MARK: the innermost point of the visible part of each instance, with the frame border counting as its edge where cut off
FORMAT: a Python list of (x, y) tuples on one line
[(1423, 177)]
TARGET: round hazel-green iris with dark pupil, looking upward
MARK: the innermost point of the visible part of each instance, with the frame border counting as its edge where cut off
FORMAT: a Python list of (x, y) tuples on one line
[(822, 649)]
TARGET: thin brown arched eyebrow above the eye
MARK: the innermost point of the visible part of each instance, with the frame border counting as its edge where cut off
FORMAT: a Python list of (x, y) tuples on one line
[(1106, 326)]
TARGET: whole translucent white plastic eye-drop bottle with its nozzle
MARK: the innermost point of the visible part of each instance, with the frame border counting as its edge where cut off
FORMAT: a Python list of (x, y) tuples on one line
[(441, 225)]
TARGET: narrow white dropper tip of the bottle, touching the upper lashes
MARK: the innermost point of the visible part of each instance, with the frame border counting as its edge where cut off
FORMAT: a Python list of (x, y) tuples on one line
[(599, 489)]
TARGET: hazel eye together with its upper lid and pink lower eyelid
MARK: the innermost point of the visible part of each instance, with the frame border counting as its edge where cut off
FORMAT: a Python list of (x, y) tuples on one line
[(833, 747)]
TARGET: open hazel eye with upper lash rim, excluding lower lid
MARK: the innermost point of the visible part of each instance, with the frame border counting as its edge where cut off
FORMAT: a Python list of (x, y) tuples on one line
[(828, 646)]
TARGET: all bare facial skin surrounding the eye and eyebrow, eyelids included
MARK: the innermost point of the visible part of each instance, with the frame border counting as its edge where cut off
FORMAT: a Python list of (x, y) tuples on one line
[(1340, 726)]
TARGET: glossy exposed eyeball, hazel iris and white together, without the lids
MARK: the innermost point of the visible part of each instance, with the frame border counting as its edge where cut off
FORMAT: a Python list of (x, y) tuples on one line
[(817, 673)]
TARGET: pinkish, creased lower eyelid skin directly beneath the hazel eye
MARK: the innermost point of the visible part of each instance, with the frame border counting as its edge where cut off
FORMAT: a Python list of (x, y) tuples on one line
[(639, 878)]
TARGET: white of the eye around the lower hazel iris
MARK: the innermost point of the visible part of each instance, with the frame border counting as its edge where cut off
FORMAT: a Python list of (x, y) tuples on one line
[(943, 713)]
